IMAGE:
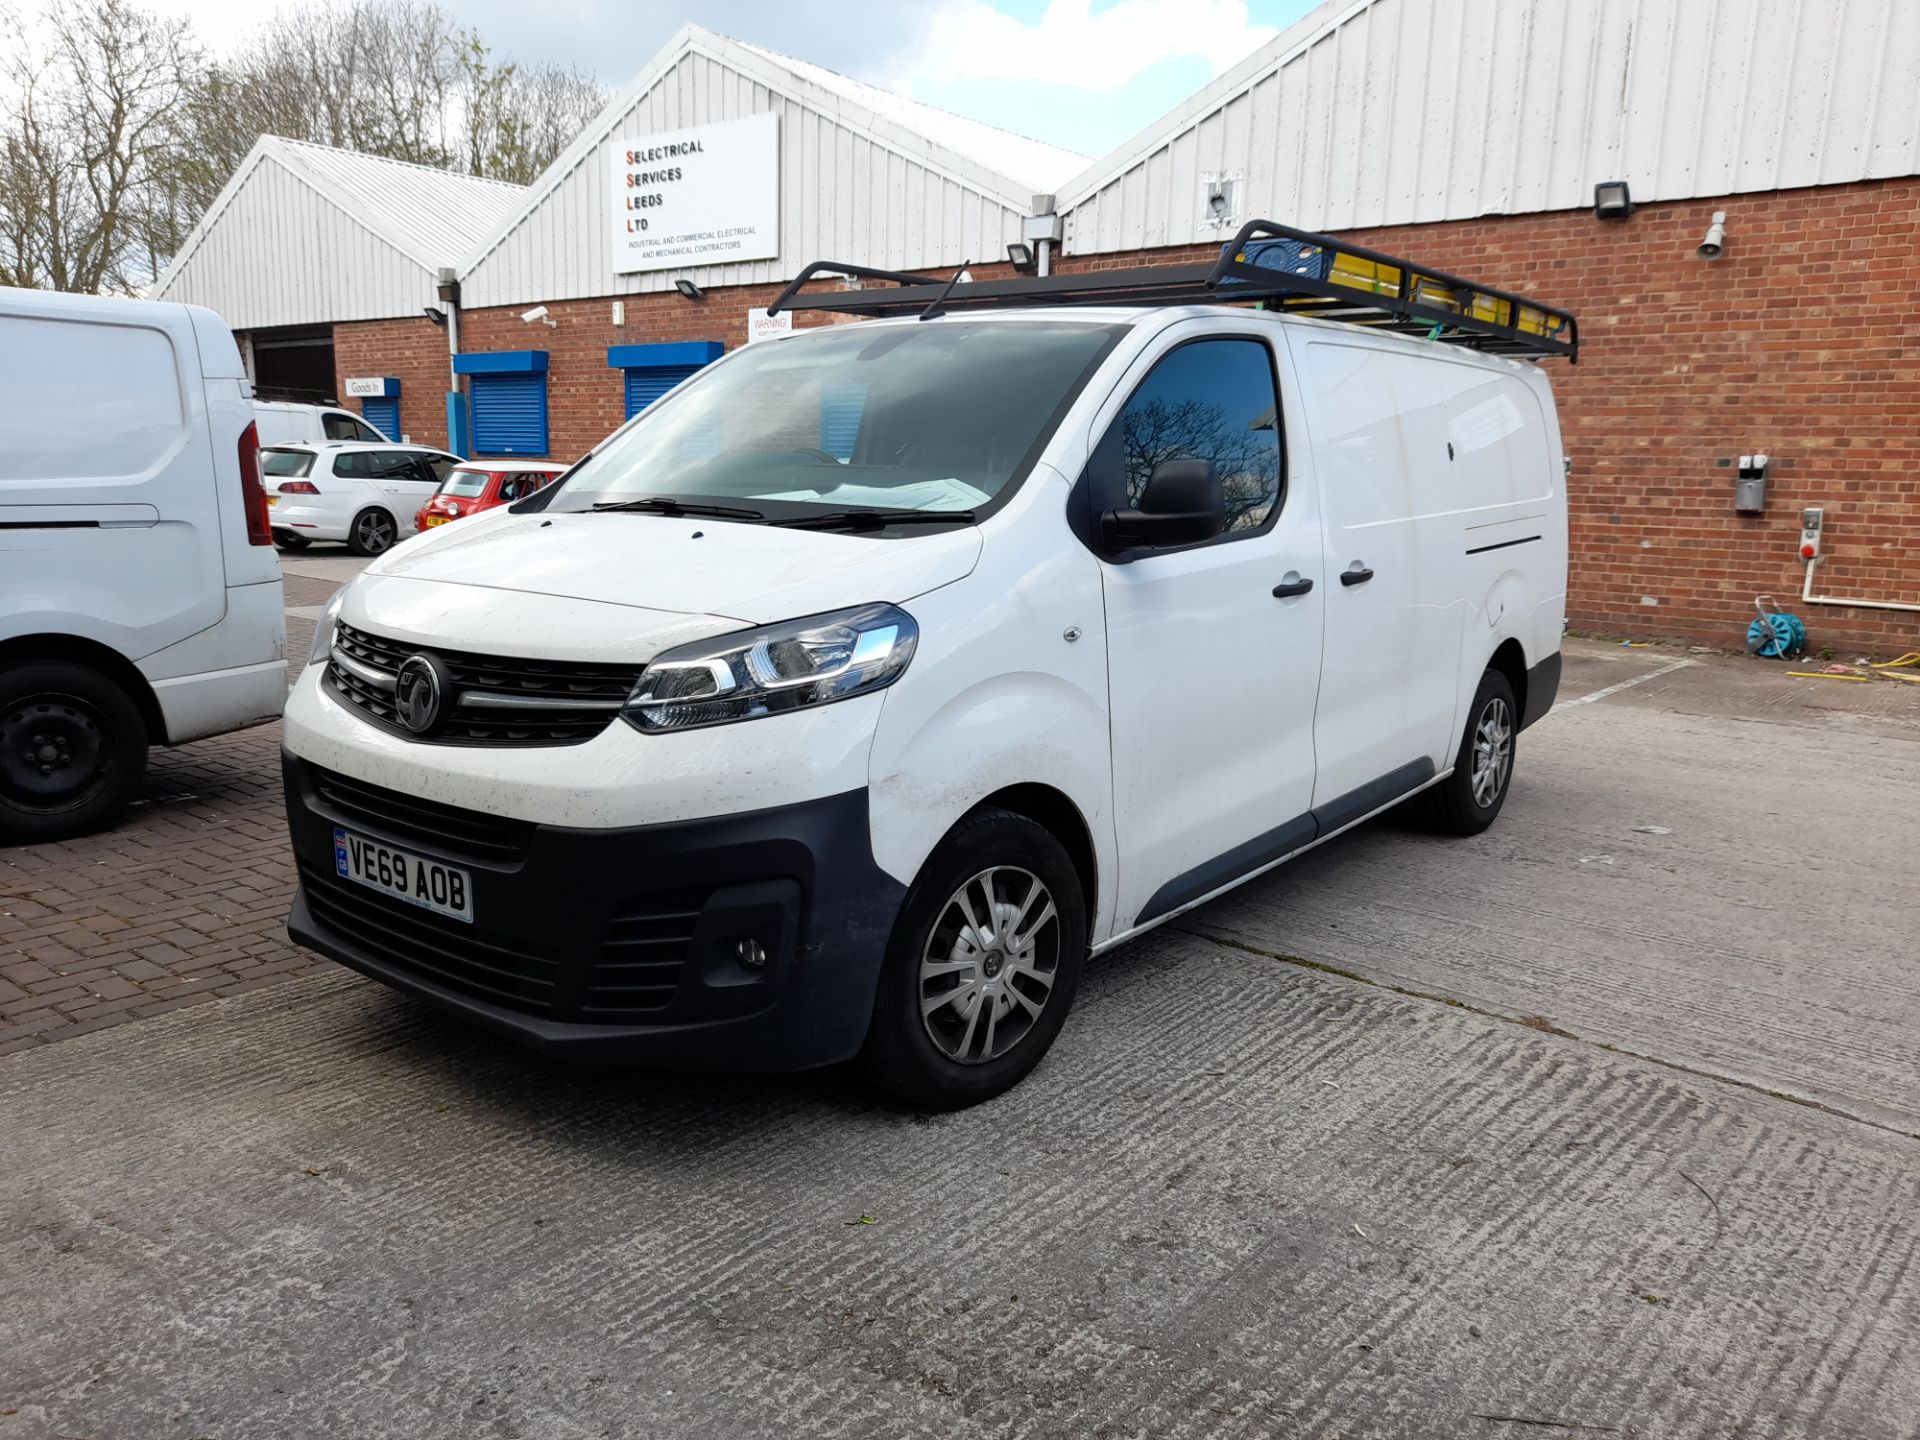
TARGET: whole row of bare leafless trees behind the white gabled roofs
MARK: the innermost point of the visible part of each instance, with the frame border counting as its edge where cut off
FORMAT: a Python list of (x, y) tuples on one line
[(116, 133)]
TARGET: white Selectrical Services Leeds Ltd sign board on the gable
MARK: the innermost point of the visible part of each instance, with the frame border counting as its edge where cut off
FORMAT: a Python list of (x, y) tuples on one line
[(702, 197)]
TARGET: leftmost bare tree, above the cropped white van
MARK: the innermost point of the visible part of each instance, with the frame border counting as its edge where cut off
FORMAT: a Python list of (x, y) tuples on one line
[(93, 128)]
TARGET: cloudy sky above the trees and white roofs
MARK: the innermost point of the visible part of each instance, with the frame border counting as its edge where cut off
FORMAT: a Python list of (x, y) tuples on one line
[(1072, 72)]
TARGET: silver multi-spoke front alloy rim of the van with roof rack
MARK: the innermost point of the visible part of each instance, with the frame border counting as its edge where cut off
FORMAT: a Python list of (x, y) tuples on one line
[(990, 965)]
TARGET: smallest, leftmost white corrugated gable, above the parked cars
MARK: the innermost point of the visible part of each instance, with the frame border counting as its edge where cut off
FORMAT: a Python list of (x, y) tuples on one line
[(285, 254)]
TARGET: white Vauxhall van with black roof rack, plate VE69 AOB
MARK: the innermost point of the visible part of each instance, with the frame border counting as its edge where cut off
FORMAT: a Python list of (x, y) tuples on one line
[(850, 698)]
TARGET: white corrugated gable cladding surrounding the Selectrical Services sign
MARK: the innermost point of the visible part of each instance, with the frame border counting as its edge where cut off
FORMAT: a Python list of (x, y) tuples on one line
[(844, 195)]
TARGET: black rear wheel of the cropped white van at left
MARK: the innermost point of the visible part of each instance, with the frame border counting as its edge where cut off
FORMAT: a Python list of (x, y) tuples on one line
[(72, 750)]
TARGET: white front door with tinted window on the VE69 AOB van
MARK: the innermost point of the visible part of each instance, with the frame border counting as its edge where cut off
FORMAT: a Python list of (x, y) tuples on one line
[(1212, 650)]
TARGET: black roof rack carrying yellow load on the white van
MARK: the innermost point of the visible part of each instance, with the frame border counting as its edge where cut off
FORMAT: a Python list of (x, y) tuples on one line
[(1285, 270)]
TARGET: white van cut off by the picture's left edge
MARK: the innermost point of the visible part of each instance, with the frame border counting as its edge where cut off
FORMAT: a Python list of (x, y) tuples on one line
[(139, 590)]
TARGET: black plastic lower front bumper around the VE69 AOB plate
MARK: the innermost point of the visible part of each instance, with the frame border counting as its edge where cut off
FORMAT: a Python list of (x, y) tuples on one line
[(748, 942)]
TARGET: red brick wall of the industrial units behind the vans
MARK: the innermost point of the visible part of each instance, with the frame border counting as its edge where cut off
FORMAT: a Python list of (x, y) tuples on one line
[(1796, 345)]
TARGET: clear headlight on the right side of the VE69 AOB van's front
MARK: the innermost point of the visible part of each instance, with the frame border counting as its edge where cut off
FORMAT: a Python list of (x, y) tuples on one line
[(775, 669)]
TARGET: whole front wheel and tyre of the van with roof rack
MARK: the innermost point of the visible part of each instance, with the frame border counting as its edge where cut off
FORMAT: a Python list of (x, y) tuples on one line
[(982, 965)]
